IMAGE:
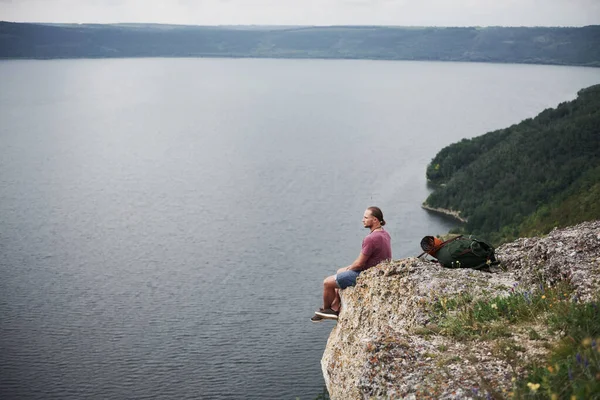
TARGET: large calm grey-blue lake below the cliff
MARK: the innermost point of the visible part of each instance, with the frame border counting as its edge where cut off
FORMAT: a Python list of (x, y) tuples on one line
[(166, 224)]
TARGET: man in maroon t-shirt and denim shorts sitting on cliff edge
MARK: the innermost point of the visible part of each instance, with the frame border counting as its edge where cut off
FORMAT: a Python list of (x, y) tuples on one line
[(376, 247)]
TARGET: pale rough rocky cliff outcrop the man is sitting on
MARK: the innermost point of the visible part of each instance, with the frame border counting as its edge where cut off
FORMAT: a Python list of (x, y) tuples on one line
[(386, 346)]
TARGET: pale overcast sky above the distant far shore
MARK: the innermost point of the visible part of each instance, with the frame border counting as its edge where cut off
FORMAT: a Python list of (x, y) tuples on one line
[(309, 12)]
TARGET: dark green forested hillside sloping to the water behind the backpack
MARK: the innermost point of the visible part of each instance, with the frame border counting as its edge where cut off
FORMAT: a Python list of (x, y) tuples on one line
[(526, 179)]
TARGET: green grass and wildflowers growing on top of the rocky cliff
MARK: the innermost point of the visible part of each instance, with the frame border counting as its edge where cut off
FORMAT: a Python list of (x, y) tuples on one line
[(572, 368)]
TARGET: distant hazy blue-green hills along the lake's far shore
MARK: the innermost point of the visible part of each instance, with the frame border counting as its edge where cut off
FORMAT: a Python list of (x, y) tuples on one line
[(542, 45)]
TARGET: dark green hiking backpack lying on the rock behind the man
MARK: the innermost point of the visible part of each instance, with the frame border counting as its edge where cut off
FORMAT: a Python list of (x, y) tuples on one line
[(461, 252)]
